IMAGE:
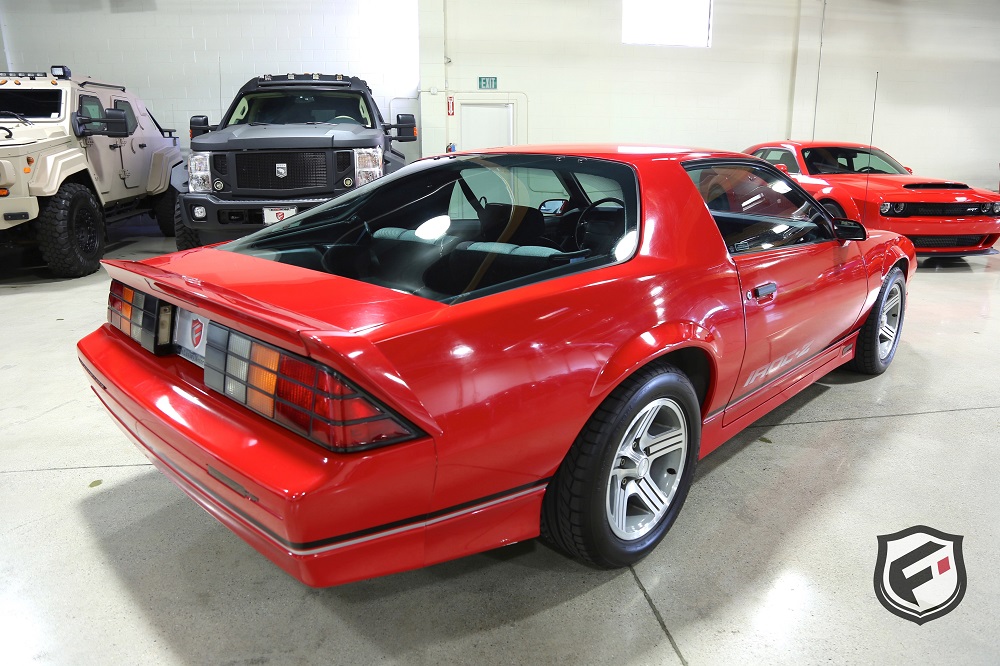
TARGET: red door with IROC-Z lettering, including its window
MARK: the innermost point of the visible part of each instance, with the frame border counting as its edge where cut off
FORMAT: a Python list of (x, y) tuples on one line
[(802, 289)]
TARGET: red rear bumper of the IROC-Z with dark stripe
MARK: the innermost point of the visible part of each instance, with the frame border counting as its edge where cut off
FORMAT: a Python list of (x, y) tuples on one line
[(324, 518)]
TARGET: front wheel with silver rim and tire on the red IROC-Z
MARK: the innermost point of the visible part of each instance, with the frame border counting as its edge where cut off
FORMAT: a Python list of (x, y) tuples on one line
[(875, 347)]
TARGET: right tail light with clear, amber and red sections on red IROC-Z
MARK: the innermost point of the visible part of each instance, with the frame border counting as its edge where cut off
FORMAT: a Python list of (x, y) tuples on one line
[(303, 396)]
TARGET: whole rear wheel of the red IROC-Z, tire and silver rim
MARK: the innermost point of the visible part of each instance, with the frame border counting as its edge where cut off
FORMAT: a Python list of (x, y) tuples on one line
[(603, 469)]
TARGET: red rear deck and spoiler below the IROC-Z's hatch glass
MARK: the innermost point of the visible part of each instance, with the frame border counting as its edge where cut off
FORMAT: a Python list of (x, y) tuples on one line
[(292, 298)]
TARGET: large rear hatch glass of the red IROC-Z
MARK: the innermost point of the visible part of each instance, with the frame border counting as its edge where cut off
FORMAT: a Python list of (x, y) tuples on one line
[(457, 227)]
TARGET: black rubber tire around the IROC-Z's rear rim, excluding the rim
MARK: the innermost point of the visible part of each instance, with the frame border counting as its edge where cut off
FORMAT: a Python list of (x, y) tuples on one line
[(574, 516)]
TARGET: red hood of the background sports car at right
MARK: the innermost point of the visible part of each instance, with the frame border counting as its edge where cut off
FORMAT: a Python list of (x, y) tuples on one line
[(906, 188)]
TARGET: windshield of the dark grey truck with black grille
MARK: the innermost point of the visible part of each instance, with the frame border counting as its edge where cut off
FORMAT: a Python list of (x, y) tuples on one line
[(281, 107)]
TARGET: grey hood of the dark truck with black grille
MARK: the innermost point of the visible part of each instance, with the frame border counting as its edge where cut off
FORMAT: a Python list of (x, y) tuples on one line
[(288, 137)]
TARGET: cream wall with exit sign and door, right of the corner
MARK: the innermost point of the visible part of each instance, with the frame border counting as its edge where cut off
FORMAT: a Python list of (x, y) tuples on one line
[(564, 63)]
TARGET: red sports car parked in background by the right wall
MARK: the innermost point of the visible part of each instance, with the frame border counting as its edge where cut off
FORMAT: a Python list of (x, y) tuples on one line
[(942, 218)]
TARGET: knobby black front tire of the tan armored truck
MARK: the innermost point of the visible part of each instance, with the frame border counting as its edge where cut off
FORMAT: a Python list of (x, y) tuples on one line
[(70, 231)]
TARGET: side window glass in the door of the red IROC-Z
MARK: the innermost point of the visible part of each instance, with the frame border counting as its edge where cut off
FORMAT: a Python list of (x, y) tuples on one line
[(756, 209)]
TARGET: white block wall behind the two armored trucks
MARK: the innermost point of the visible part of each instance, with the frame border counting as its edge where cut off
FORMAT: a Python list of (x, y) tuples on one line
[(185, 57)]
